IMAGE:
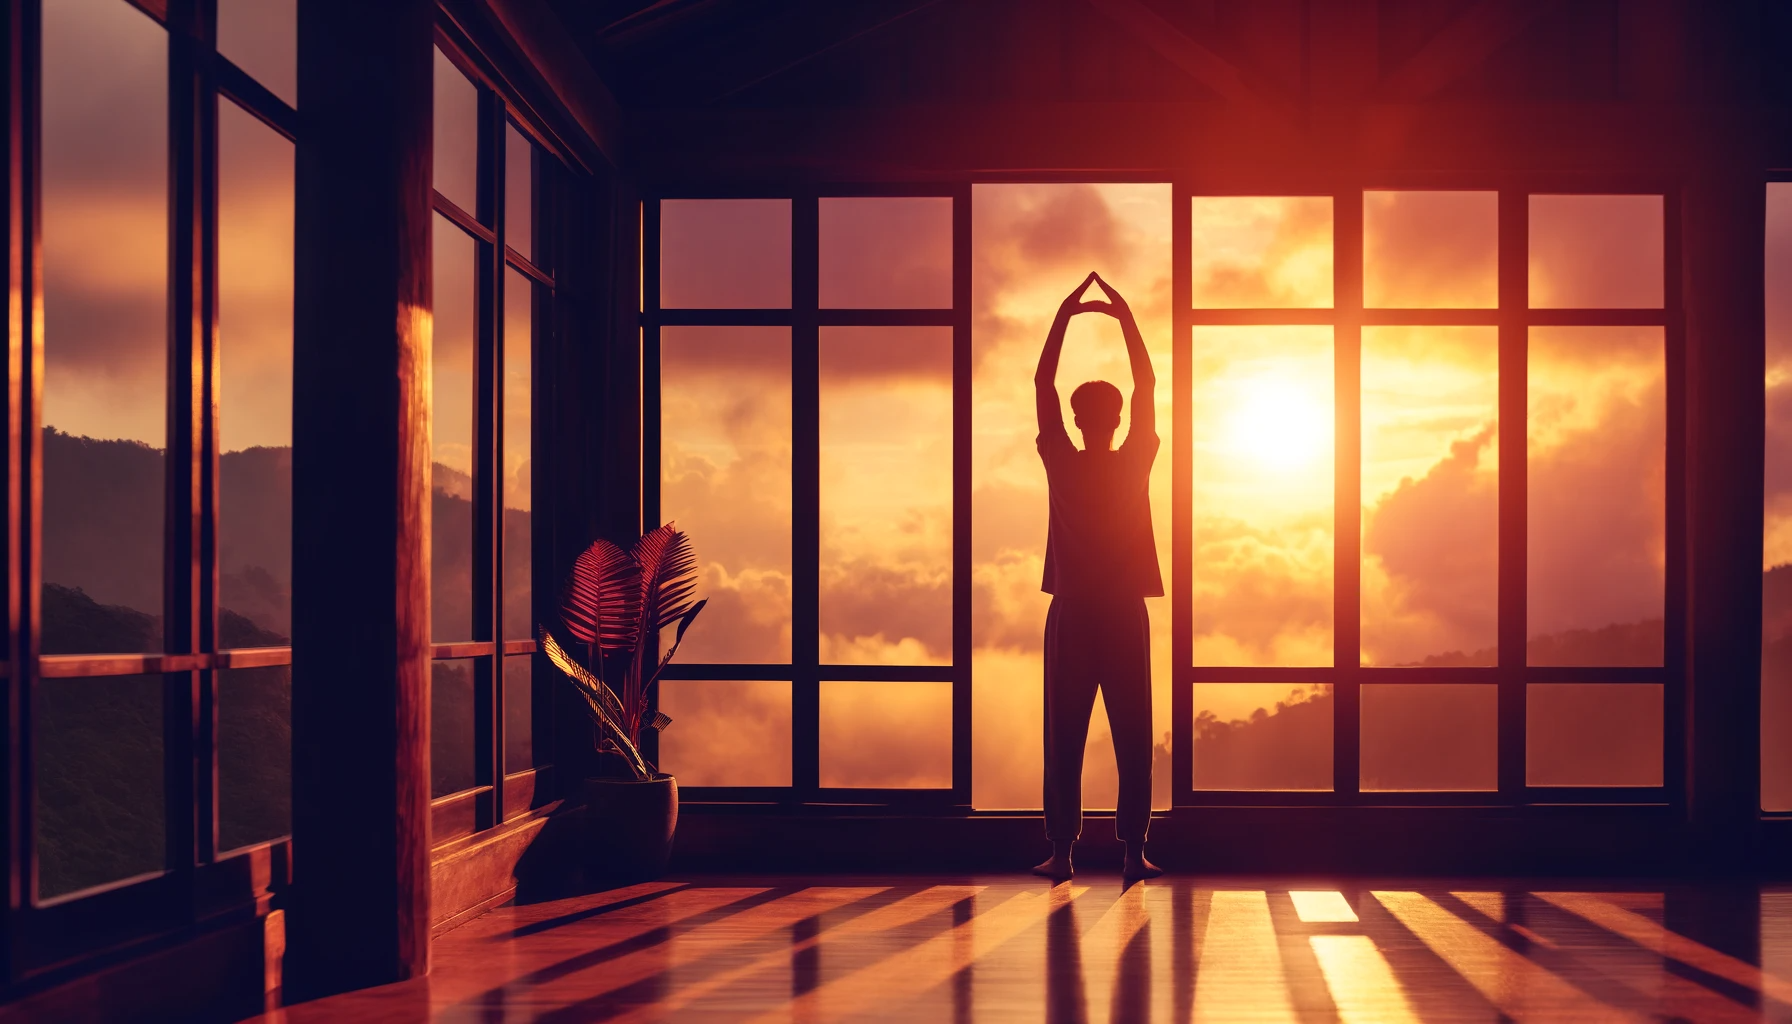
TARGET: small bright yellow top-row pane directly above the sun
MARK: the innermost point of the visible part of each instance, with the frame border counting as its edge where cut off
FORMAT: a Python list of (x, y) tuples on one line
[(1262, 252)]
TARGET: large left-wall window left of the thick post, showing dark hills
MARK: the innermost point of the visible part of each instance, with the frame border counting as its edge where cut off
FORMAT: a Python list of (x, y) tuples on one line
[(157, 480)]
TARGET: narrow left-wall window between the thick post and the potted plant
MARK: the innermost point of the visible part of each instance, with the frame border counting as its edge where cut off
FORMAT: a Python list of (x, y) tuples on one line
[(494, 290)]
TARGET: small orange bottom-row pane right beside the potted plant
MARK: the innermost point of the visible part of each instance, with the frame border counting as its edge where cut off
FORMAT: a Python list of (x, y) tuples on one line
[(734, 733)]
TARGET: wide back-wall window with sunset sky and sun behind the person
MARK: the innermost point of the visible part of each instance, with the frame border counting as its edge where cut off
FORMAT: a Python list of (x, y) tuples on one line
[(1417, 508)]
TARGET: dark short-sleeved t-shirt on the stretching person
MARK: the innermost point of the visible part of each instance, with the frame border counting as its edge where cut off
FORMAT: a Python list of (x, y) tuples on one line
[(1101, 541)]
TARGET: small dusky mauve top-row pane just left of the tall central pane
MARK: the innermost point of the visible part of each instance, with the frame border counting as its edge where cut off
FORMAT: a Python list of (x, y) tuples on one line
[(886, 254)]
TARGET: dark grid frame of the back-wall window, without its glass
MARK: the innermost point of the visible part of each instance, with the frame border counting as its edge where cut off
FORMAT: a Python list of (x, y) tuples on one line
[(1513, 318)]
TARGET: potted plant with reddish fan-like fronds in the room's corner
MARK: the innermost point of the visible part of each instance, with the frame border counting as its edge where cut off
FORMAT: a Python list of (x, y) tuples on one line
[(614, 611)]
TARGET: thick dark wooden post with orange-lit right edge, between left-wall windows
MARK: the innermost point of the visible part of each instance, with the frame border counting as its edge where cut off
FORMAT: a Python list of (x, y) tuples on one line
[(361, 573)]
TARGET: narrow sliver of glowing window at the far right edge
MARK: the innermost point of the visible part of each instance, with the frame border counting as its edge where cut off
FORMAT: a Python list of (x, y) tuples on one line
[(1777, 548)]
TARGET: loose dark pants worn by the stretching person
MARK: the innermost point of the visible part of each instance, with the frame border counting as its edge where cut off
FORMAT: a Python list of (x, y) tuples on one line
[(1098, 645)]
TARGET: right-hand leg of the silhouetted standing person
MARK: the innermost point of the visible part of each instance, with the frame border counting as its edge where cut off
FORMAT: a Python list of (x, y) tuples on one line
[(1126, 690)]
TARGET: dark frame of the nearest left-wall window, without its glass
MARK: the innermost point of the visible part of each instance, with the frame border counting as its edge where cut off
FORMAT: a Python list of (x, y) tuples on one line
[(49, 937)]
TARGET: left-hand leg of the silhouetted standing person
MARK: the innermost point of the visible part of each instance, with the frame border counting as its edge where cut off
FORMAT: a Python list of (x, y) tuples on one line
[(1071, 648)]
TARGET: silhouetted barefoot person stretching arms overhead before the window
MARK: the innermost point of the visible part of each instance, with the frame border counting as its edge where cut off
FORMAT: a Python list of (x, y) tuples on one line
[(1101, 564)]
